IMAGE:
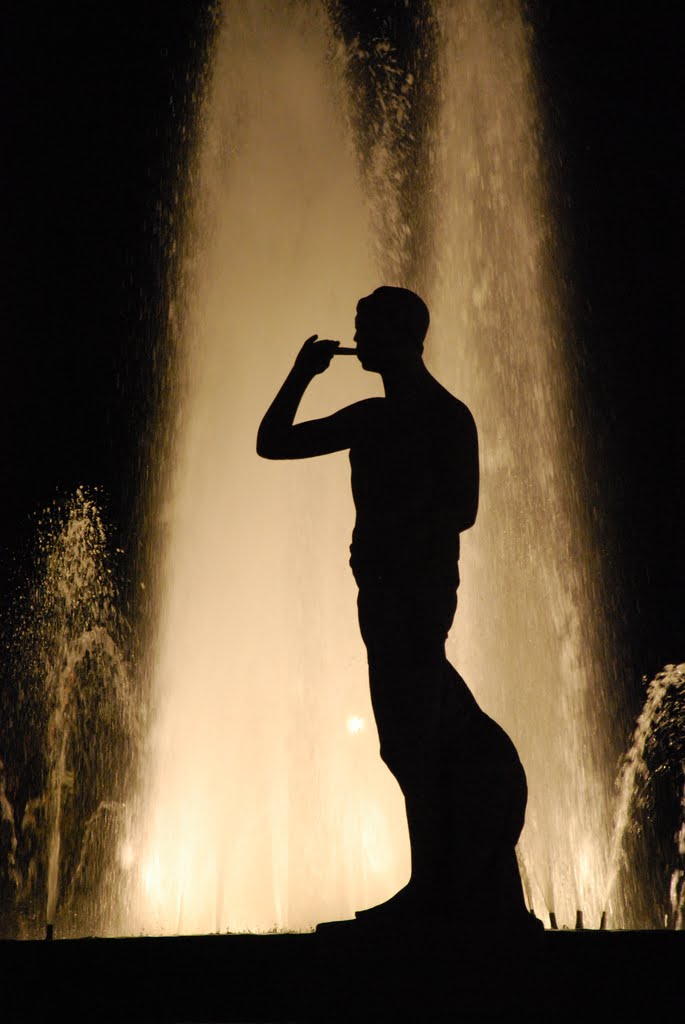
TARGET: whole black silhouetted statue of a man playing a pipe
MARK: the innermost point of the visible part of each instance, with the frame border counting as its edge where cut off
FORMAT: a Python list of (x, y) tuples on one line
[(414, 458)]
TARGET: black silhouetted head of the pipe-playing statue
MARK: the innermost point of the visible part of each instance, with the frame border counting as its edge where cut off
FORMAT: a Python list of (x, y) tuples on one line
[(391, 325)]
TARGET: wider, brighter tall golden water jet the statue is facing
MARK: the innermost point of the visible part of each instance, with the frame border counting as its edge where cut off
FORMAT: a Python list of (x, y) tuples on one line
[(267, 805)]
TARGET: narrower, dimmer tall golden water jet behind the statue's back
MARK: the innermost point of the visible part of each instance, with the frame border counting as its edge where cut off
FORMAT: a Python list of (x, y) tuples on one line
[(533, 634)]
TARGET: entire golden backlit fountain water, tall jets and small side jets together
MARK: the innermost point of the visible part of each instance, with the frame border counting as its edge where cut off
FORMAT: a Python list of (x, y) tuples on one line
[(245, 793)]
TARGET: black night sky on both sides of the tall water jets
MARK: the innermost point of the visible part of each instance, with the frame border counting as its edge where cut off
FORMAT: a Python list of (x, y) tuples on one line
[(94, 98)]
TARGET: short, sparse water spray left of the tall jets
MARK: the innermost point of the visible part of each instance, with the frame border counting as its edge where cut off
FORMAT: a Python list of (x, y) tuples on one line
[(82, 738)]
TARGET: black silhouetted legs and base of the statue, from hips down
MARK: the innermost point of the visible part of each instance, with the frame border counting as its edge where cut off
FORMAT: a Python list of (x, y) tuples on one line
[(464, 786)]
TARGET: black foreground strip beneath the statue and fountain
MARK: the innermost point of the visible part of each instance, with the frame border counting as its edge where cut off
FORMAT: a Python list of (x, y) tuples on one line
[(303, 978)]
